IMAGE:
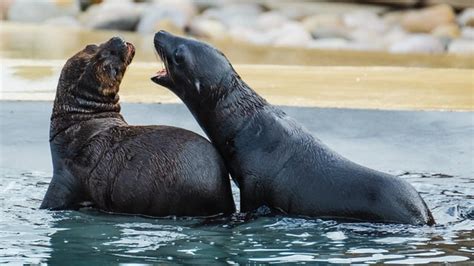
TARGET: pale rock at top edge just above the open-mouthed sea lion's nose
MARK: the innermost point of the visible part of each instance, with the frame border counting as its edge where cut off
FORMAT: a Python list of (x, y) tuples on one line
[(176, 14)]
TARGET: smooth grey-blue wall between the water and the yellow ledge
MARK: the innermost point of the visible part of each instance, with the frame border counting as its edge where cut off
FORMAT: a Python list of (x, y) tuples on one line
[(393, 141)]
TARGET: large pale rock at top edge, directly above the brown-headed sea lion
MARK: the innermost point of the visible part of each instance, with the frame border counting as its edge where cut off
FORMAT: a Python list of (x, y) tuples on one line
[(112, 15)]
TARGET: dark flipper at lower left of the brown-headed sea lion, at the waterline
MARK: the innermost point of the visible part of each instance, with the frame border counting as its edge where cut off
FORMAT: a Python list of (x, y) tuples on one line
[(63, 192)]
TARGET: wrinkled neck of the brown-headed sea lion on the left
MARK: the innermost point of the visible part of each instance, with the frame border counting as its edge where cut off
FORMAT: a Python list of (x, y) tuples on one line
[(77, 105)]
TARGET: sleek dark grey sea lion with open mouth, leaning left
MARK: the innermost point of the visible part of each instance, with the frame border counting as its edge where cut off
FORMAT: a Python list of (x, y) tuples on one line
[(274, 160)]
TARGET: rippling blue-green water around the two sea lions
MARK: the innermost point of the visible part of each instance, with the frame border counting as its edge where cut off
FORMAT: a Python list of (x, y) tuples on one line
[(30, 235)]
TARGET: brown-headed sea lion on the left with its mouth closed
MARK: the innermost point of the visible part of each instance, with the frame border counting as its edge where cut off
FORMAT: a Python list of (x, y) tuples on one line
[(98, 157)]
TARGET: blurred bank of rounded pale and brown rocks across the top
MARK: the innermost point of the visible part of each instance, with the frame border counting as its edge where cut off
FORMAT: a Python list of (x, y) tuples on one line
[(393, 26)]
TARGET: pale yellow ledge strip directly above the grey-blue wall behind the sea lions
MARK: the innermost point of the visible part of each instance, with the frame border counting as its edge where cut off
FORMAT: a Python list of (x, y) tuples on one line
[(388, 88)]
